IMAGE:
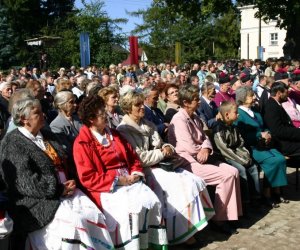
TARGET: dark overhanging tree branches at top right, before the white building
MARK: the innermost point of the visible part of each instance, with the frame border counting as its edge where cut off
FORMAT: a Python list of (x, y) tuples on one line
[(286, 12)]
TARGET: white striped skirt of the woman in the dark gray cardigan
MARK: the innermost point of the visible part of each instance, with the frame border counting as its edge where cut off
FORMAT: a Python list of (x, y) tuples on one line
[(78, 224)]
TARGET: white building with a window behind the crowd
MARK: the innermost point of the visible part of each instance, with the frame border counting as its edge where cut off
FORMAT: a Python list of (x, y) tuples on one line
[(272, 38)]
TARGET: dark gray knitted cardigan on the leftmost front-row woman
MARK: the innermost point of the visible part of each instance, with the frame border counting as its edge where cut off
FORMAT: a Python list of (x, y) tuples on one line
[(32, 184)]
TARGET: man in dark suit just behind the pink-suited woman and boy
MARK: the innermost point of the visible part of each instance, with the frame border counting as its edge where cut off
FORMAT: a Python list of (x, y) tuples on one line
[(208, 109)]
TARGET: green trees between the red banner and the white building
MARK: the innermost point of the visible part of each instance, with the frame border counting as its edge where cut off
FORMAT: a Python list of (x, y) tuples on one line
[(167, 22)]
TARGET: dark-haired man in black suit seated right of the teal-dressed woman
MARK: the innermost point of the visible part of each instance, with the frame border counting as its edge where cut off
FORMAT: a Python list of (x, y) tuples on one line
[(278, 121)]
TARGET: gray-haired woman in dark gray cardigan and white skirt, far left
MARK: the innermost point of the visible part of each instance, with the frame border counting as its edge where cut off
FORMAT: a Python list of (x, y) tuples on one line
[(46, 207)]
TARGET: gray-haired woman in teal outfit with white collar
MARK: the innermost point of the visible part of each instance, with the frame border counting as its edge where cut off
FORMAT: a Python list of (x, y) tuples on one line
[(259, 141)]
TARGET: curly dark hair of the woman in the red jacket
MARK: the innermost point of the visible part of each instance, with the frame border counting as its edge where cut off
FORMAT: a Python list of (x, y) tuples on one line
[(88, 108)]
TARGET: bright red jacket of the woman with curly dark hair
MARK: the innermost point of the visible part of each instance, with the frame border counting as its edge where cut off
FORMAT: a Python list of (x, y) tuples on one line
[(92, 172)]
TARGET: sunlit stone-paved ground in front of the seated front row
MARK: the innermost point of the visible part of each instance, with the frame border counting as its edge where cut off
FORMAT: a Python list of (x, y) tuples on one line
[(274, 229)]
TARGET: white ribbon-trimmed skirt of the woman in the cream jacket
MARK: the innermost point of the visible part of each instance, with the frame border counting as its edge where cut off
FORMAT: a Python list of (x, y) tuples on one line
[(186, 203)]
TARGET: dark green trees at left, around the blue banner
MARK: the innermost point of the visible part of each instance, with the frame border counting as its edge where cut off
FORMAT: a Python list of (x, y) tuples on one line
[(25, 19)]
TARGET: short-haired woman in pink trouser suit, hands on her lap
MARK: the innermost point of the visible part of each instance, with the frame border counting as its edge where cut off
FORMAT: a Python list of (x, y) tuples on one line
[(187, 136)]
